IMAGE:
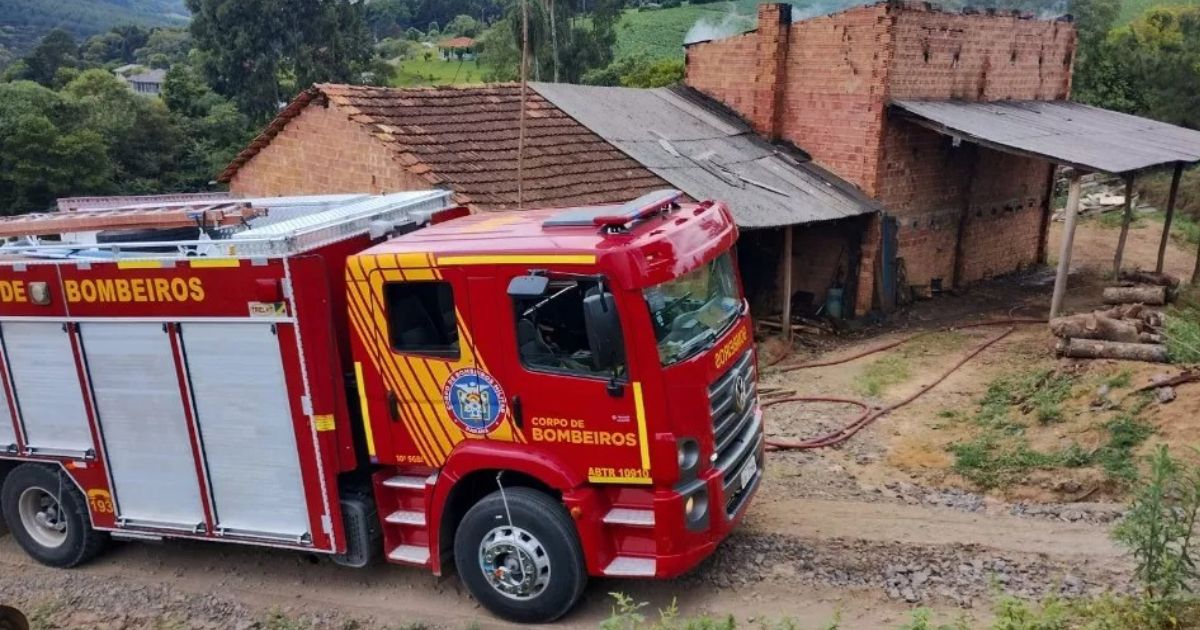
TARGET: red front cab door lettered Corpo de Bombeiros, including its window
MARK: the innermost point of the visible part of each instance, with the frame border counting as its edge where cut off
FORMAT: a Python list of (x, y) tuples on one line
[(538, 349)]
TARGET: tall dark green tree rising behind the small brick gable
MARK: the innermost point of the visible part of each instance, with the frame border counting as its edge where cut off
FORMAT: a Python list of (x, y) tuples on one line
[(248, 47)]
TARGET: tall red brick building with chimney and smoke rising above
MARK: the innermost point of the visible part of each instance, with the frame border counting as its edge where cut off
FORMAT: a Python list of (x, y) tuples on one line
[(963, 212)]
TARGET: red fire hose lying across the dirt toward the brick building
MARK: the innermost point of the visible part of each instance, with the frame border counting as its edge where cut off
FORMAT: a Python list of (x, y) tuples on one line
[(869, 413)]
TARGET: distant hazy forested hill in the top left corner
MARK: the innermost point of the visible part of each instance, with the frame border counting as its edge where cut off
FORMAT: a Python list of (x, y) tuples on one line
[(25, 22)]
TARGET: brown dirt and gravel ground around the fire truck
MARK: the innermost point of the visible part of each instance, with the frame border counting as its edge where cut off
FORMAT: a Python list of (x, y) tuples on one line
[(863, 532)]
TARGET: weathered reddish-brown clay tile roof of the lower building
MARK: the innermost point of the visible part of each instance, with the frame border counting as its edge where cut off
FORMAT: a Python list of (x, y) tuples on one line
[(466, 140)]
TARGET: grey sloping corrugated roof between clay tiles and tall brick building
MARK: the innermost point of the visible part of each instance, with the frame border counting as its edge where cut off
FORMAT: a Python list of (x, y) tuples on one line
[(710, 155)]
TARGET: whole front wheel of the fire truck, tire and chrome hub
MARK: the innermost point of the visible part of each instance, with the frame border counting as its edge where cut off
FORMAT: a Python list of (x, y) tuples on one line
[(529, 571)]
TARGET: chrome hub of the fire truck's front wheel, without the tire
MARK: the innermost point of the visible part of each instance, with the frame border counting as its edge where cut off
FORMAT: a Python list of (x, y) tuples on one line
[(514, 562)]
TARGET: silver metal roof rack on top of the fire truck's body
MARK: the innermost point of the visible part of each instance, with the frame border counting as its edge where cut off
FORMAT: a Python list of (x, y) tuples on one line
[(327, 225)]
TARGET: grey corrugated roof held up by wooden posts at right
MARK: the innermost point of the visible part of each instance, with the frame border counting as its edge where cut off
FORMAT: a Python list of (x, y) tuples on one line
[(1070, 134)]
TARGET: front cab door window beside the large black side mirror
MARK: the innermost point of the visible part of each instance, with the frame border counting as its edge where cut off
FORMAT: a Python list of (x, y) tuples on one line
[(551, 334)]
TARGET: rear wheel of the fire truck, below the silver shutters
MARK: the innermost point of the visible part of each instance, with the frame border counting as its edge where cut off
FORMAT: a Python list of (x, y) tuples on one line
[(49, 517)]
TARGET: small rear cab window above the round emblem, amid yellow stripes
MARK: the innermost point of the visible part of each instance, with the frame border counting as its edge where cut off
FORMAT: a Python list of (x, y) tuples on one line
[(422, 319)]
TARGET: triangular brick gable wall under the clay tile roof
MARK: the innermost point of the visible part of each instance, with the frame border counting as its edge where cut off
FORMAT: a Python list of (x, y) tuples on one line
[(322, 152)]
